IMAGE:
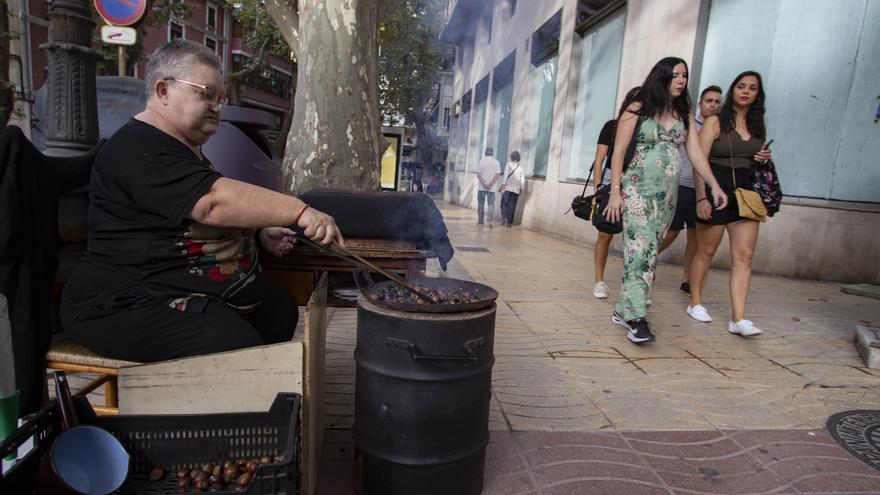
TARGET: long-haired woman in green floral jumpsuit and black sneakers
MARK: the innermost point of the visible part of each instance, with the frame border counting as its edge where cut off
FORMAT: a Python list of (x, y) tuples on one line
[(644, 195)]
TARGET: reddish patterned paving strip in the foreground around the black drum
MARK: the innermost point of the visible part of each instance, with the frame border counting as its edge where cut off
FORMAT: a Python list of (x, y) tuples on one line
[(667, 462)]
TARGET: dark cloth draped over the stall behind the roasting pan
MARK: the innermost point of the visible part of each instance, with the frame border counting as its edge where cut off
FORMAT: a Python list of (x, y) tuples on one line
[(408, 216)]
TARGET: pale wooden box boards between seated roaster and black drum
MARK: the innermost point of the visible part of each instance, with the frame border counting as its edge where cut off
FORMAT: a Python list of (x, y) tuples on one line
[(242, 380)]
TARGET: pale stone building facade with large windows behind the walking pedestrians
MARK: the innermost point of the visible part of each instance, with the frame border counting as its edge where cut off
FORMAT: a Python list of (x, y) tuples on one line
[(542, 78)]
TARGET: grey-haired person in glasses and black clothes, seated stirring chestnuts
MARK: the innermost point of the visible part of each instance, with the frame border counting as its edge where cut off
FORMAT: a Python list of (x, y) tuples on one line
[(171, 267)]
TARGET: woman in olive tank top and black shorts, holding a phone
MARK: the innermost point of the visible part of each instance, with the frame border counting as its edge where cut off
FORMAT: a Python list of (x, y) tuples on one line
[(734, 140)]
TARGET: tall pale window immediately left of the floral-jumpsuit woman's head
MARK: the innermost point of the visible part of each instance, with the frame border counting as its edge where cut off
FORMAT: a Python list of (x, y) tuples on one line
[(597, 74)]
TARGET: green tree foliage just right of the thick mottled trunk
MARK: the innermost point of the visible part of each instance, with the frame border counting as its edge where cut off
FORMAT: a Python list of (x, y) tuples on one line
[(410, 56)]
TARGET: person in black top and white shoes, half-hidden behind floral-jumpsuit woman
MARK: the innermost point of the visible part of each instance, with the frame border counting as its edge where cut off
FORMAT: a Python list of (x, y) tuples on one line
[(602, 168)]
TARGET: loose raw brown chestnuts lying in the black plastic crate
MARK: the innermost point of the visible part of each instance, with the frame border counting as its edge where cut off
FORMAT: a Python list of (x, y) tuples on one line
[(229, 475)]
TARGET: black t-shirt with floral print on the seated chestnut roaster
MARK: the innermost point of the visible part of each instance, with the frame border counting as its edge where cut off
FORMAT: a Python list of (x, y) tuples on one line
[(144, 183)]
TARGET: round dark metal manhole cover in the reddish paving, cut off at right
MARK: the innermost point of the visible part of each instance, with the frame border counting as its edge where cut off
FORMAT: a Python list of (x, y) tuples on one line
[(859, 433)]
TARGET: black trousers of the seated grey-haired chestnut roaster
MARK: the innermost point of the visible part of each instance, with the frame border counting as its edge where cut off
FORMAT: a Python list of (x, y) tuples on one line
[(155, 332)]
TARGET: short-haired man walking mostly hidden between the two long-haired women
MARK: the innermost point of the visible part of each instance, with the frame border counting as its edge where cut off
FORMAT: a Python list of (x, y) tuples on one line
[(686, 209)]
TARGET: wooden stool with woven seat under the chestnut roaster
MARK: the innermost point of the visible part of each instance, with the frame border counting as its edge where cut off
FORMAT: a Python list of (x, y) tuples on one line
[(65, 354)]
